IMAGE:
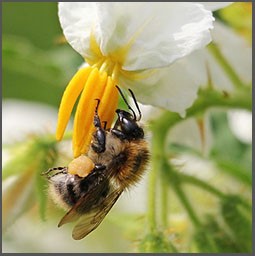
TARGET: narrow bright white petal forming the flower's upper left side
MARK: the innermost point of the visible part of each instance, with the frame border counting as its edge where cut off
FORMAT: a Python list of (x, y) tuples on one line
[(77, 19)]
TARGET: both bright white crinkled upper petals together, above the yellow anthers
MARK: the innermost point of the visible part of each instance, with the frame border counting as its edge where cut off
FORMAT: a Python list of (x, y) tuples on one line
[(156, 34)]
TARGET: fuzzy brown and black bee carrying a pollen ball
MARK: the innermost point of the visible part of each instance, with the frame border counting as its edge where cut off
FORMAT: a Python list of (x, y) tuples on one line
[(116, 159)]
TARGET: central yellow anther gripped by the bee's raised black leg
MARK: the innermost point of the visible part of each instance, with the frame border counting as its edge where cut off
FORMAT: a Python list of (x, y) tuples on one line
[(93, 89)]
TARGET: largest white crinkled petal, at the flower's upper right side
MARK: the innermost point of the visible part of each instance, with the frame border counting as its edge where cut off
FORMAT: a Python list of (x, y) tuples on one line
[(161, 32)]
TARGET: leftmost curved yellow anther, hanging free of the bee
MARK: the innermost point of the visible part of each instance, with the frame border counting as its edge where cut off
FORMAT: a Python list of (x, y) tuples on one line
[(70, 95)]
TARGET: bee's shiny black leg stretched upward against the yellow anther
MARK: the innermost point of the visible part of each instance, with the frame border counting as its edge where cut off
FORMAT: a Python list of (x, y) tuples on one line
[(98, 144)]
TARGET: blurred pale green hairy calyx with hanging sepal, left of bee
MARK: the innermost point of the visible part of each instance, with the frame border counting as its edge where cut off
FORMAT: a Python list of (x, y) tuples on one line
[(35, 157)]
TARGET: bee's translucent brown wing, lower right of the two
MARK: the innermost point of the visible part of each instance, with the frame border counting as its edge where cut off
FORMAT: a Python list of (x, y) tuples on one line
[(90, 221)]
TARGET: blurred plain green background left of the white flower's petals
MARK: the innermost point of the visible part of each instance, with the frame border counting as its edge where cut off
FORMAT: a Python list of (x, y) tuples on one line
[(37, 64)]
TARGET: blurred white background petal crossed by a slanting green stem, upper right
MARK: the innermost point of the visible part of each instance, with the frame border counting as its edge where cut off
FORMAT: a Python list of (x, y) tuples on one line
[(203, 65)]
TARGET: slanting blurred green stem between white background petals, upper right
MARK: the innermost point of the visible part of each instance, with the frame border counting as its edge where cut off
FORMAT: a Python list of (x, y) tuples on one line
[(214, 49)]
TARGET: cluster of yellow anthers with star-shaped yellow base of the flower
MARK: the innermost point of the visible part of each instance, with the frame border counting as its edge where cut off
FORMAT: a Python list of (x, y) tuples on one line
[(96, 81)]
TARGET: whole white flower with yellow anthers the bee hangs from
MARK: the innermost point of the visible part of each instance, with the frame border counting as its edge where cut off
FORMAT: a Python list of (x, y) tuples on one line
[(134, 45)]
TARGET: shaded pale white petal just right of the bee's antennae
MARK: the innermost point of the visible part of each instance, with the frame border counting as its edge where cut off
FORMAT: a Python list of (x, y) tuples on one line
[(172, 88)]
